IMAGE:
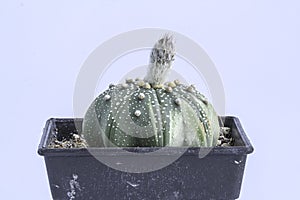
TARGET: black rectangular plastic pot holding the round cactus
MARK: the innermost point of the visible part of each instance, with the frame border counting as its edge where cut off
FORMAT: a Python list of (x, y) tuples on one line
[(76, 174)]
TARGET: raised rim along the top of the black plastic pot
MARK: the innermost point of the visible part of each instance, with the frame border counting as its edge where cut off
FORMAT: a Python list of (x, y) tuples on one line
[(245, 148)]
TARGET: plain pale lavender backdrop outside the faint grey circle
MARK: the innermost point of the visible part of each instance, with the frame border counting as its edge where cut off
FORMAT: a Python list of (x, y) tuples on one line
[(254, 44)]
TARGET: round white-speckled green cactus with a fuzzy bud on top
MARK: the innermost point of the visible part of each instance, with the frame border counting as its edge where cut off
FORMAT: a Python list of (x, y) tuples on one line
[(152, 112)]
